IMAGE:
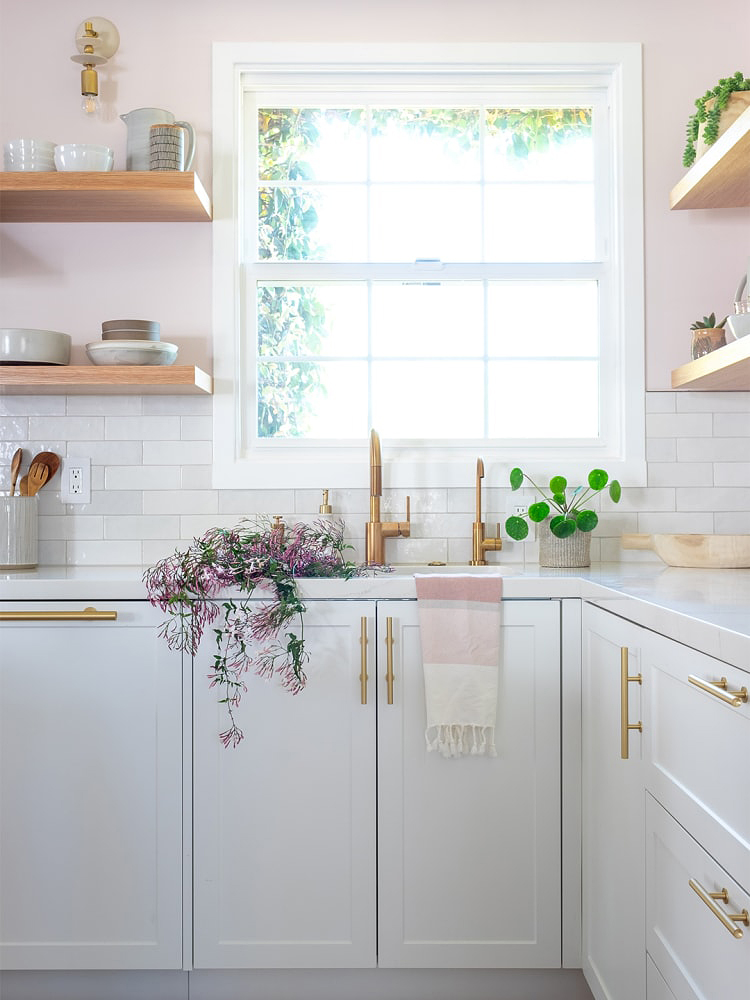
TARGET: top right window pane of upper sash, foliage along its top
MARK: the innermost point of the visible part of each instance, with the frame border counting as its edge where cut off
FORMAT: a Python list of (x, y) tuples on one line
[(552, 144)]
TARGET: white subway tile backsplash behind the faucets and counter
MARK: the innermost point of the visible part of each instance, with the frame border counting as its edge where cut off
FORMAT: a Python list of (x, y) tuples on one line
[(152, 491)]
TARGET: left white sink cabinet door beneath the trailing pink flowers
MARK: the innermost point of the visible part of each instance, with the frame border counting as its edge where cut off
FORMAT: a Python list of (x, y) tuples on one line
[(284, 824)]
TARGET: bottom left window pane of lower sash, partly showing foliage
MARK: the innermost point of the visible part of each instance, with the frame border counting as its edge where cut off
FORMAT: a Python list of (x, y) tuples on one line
[(325, 399)]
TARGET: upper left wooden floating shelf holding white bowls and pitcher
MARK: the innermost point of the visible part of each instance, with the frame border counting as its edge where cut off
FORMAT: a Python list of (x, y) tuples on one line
[(117, 196)]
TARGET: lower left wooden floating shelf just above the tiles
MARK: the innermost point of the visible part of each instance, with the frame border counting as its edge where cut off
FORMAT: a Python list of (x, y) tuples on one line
[(76, 380)]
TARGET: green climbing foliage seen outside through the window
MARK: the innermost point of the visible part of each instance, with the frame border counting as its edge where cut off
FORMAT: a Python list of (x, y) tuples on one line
[(291, 325)]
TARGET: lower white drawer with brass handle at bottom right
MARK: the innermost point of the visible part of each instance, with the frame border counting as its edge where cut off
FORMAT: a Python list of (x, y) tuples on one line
[(690, 945)]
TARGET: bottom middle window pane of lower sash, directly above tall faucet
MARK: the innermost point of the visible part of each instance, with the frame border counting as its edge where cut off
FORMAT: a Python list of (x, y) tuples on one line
[(428, 399)]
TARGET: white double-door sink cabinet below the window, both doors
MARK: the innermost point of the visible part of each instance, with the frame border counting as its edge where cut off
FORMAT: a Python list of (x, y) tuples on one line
[(316, 826)]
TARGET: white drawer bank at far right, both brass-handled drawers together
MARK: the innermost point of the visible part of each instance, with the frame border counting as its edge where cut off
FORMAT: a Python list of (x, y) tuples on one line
[(697, 722)]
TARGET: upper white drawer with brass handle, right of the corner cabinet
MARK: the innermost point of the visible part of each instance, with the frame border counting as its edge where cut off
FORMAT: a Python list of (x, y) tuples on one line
[(694, 745)]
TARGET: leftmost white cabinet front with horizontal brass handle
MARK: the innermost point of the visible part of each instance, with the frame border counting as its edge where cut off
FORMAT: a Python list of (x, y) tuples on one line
[(90, 790)]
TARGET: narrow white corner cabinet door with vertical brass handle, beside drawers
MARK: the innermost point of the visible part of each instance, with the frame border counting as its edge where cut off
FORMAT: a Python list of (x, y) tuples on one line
[(614, 954)]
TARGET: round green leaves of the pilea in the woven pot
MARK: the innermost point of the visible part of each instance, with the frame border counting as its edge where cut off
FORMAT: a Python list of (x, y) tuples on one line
[(572, 514)]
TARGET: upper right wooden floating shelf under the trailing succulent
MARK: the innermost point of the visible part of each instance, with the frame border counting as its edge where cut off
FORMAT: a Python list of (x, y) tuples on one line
[(721, 177)]
